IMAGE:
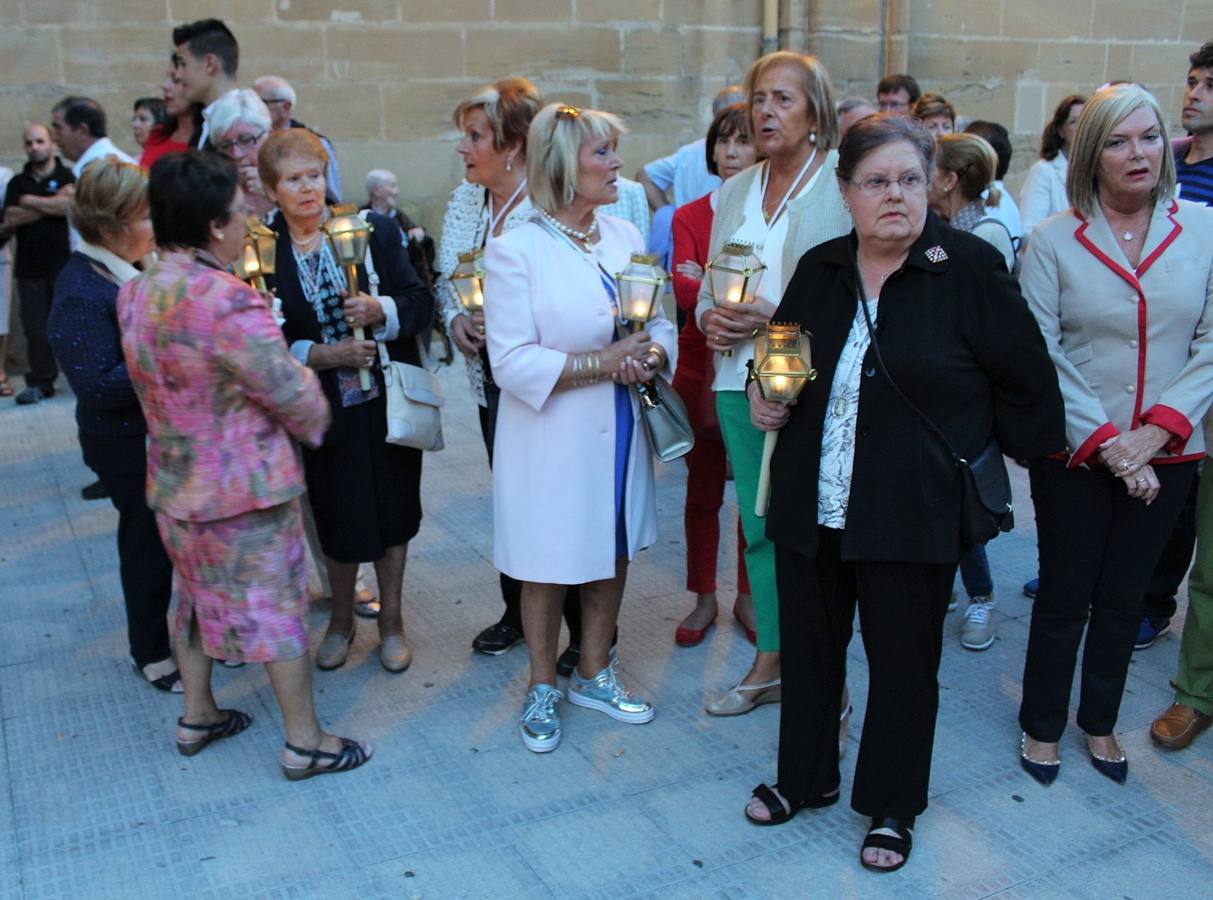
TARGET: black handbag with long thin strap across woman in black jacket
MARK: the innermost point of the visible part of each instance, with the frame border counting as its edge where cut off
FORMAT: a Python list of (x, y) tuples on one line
[(987, 508)]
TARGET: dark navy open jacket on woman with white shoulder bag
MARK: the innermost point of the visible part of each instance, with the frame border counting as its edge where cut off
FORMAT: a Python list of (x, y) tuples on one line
[(414, 304)]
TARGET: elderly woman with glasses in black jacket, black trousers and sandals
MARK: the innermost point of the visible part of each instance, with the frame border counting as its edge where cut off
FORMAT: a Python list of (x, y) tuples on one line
[(867, 503)]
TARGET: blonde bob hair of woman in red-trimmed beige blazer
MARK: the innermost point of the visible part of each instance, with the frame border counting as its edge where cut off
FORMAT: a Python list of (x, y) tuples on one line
[(1101, 116)]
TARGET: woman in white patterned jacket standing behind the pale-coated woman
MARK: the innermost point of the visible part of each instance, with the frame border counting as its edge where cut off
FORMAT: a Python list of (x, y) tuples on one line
[(492, 201)]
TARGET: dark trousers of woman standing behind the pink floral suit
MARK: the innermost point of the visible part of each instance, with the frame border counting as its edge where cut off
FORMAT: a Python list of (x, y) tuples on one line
[(145, 569)]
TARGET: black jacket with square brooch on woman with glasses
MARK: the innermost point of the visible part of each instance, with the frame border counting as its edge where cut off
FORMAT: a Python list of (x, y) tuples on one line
[(960, 341)]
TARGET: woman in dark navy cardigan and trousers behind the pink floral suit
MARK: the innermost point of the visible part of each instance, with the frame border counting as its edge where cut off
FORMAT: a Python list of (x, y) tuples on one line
[(110, 210)]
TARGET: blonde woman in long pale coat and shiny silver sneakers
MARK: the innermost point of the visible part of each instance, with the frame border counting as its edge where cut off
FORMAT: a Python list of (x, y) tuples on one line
[(573, 489)]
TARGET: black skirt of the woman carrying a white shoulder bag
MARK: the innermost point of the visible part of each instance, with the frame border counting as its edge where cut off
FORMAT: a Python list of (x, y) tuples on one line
[(366, 494)]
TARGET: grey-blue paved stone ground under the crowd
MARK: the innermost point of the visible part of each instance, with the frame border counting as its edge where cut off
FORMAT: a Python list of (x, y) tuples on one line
[(96, 802)]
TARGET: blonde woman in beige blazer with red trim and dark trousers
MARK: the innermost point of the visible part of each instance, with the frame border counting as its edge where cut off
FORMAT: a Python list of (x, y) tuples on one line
[(1121, 287)]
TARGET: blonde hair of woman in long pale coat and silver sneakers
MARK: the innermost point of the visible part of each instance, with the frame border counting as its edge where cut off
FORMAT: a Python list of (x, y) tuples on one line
[(553, 147)]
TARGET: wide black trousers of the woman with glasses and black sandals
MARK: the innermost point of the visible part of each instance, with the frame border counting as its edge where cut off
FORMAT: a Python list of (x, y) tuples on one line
[(902, 610)]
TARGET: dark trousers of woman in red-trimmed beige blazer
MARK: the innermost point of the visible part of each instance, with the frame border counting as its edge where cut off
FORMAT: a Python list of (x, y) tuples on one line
[(1098, 548)]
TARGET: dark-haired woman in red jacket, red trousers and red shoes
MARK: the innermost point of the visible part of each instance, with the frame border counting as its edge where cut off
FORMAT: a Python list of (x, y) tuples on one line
[(730, 151)]
